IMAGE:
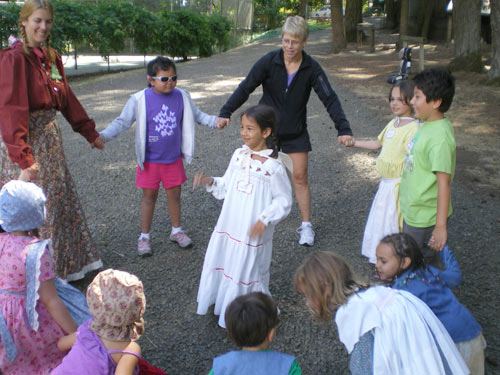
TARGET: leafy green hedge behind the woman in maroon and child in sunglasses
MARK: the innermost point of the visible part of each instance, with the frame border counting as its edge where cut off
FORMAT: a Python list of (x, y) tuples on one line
[(107, 24)]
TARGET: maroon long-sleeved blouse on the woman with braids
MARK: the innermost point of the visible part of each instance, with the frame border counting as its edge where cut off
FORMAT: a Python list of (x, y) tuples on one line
[(25, 85)]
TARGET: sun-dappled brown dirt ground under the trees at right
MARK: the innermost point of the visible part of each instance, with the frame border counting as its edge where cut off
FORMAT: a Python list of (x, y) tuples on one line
[(475, 112)]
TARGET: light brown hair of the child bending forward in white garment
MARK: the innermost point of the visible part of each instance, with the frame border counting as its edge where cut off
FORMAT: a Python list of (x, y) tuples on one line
[(327, 279)]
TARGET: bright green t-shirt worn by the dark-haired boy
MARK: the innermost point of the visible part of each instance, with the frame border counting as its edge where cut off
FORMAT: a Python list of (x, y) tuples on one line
[(433, 150)]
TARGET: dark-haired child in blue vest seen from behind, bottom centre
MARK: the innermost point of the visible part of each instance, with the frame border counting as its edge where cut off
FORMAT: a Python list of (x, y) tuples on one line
[(251, 321)]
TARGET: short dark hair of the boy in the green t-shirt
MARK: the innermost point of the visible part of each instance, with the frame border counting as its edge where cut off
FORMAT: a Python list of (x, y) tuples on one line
[(437, 83)]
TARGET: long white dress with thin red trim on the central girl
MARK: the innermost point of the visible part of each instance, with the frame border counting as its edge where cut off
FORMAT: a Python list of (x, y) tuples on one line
[(236, 264)]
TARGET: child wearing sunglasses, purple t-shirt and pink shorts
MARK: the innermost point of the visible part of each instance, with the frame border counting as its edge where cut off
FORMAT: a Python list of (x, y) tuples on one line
[(165, 117)]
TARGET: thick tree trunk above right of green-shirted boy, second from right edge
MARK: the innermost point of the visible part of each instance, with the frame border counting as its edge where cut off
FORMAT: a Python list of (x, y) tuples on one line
[(467, 33)]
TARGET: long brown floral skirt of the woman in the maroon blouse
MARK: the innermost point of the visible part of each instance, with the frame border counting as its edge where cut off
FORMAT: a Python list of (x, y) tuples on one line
[(74, 251)]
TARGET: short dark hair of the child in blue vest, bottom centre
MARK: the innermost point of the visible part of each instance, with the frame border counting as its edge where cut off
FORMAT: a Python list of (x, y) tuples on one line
[(250, 318)]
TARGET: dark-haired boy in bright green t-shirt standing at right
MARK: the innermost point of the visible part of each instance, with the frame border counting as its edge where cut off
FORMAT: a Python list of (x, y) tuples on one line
[(425, 191)]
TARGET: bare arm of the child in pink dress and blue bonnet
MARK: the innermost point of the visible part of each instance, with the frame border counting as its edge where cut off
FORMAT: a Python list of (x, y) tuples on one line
[(56, 308)]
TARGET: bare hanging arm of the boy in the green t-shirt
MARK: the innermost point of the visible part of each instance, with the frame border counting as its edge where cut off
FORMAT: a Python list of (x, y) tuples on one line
[(440, 235)]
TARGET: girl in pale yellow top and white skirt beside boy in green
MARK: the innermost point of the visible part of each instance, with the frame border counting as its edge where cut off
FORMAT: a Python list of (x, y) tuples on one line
[(385, 217)]
